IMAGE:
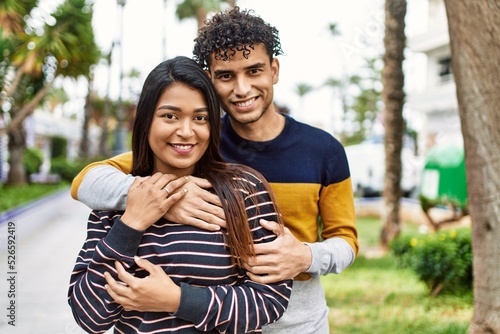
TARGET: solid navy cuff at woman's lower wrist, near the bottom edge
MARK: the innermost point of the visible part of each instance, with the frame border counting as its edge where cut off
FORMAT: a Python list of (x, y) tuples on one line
[(193, 303)]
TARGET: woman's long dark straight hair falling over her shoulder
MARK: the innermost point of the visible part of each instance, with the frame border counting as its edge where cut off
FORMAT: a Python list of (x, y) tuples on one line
[(225, 178)]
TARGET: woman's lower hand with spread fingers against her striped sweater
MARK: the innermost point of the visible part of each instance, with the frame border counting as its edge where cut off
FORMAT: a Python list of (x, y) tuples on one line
[(154, 293)]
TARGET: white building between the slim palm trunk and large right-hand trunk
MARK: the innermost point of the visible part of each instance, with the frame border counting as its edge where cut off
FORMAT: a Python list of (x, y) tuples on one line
[(435, 101)]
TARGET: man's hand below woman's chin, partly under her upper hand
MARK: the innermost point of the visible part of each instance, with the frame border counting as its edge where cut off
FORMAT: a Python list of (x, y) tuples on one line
[(199, 207)]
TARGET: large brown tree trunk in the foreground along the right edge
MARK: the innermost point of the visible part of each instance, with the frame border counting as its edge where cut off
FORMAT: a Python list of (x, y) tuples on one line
[(474, 36)]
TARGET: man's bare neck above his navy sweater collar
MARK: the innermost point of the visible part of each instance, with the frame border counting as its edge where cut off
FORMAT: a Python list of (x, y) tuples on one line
[(266, 128)]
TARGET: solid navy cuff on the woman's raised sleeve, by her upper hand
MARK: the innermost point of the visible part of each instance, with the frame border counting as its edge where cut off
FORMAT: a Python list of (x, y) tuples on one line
[(123, 239)]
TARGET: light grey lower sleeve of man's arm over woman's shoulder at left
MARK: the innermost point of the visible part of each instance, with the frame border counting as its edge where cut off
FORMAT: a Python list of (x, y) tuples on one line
[(105, 188)]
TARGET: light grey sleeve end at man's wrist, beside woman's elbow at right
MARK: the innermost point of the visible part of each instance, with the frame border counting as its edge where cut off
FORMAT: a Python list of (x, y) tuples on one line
[(330, 256)]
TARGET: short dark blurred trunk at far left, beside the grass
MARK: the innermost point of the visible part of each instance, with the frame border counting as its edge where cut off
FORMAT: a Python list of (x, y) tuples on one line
[(17, 146)]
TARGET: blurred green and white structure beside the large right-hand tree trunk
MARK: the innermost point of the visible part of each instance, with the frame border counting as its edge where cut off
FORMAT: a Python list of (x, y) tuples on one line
[(443, 175)]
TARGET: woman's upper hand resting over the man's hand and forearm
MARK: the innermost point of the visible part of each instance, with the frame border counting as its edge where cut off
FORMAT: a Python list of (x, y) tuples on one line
[(149, 198)]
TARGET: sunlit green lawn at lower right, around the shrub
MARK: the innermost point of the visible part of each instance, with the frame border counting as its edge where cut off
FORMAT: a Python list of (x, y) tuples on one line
[(375, 296)]
